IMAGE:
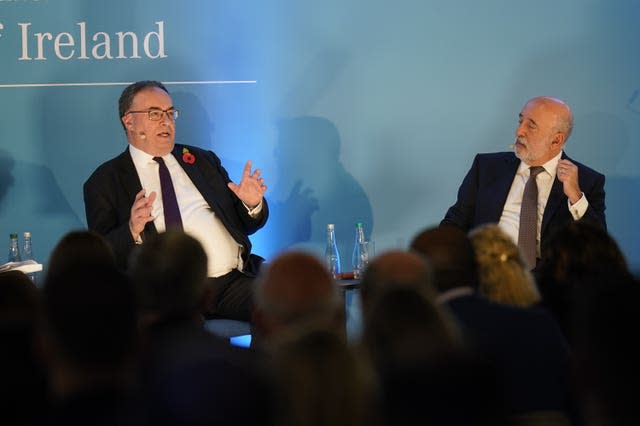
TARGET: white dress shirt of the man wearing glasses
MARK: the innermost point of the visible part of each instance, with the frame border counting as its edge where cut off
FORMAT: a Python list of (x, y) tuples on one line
[(199, 221)]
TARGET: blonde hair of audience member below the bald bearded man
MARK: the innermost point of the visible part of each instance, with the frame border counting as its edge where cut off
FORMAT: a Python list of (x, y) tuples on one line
[(502, 275)]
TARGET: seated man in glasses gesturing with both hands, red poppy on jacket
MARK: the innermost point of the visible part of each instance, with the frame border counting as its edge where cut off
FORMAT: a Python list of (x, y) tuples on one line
[(156, 184)]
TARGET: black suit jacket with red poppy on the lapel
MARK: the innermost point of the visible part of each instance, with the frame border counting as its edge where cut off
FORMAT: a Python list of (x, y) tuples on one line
[(111, 189)]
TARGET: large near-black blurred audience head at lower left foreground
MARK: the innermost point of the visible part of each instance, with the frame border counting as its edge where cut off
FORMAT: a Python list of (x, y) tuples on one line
[(89, 325)]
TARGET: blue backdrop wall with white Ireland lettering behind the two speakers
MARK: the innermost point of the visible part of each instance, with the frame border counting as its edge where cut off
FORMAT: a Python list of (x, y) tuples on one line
[(354, 110)]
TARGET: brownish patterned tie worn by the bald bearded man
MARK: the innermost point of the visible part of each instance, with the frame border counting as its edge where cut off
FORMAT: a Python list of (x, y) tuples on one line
[(528, 230)]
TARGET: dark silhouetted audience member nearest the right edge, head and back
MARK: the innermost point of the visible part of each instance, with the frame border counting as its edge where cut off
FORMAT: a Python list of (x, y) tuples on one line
[(586, 284)]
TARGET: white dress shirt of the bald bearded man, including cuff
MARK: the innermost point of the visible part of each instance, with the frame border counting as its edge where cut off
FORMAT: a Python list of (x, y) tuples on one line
[(510, 219)]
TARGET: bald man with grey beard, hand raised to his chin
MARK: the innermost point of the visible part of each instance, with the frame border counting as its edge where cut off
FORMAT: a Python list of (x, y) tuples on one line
[(492, 191)]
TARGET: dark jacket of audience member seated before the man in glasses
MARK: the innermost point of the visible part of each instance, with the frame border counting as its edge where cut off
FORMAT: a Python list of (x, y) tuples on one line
[(192, 377)]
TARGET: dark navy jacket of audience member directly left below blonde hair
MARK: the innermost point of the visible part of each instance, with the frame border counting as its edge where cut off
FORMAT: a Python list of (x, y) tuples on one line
[(526, 347)]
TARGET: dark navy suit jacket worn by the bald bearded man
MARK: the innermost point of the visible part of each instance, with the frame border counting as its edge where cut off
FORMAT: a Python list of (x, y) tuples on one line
[(484, 190)]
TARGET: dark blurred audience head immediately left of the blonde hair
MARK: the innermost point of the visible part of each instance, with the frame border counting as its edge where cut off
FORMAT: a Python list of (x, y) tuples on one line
[(451, 256)]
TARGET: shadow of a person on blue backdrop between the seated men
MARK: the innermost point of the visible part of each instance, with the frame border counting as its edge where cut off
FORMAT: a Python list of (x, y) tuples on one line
[(314, 189)]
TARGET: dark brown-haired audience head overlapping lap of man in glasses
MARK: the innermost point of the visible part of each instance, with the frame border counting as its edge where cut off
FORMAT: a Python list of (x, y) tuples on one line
[(169, 273)]
